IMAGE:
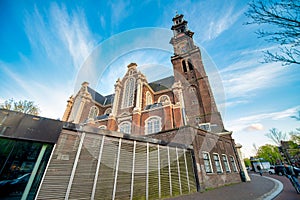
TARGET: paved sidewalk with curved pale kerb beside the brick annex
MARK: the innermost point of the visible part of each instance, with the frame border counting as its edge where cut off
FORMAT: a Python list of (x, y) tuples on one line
[(259, 188)]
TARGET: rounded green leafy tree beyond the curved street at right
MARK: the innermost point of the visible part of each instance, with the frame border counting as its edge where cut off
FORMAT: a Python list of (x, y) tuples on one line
[(269, 153)]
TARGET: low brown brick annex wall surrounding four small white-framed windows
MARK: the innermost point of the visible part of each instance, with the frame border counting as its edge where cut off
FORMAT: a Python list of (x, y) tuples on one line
[(204, 141)]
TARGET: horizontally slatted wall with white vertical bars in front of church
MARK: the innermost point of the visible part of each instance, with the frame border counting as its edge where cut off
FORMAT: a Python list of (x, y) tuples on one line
[(95, 166)]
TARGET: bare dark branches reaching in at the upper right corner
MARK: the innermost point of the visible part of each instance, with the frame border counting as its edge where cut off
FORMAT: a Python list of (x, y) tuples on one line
[(283, 23)]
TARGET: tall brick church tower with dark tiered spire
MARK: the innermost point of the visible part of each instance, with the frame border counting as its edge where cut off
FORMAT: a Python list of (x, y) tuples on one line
[(199, 107)]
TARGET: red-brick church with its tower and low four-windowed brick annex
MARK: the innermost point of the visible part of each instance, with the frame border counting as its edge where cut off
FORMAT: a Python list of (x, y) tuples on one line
[(179, 109)]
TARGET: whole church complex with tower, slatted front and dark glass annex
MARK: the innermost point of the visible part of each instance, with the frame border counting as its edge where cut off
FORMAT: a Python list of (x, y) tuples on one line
[(145, 141)]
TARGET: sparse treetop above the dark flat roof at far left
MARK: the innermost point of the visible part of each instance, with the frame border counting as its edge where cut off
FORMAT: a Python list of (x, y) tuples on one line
[(27, 107)]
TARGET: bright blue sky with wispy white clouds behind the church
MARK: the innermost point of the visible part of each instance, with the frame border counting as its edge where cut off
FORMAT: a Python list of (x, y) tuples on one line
[(46, 47)]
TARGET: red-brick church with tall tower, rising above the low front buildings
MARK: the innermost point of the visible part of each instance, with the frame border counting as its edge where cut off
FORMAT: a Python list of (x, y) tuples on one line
[(141, 108)]
